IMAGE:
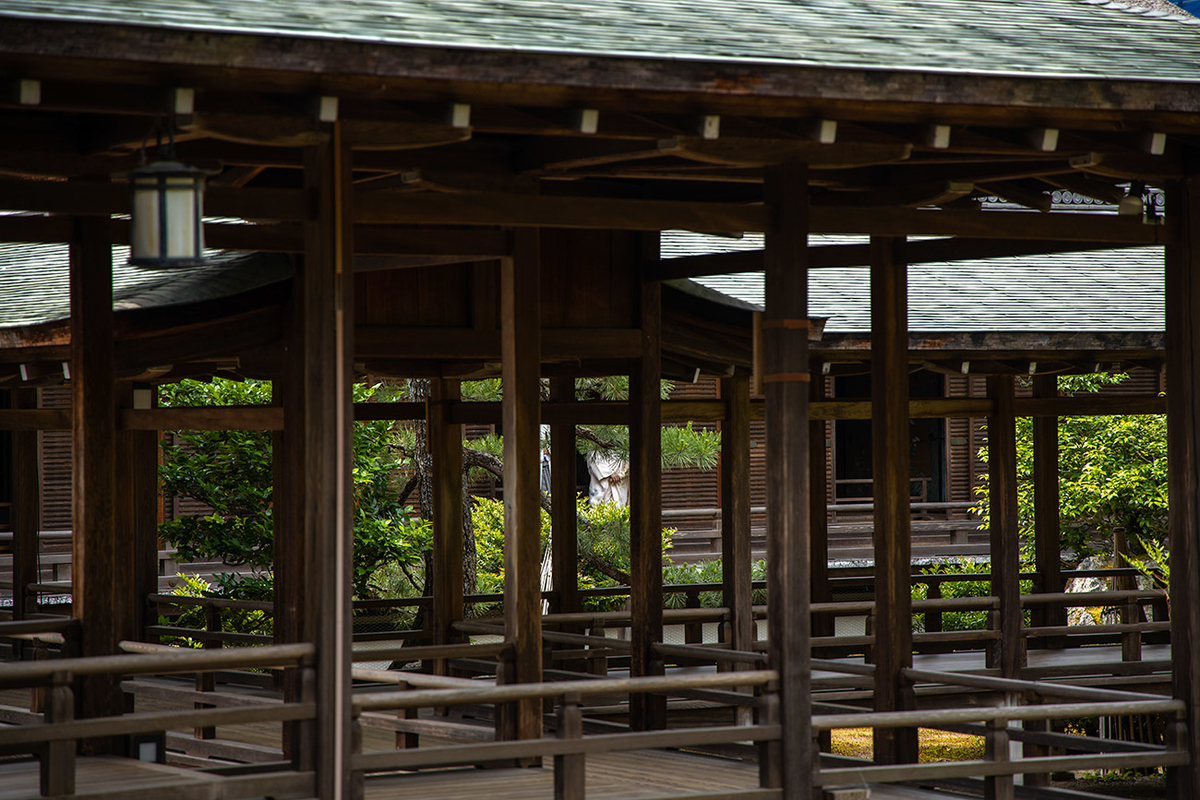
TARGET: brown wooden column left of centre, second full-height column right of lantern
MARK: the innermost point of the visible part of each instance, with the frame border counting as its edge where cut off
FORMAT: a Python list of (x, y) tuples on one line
[(521, 371)]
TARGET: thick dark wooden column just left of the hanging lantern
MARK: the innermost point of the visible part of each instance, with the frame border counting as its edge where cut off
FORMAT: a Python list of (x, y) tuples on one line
[(94, 471)]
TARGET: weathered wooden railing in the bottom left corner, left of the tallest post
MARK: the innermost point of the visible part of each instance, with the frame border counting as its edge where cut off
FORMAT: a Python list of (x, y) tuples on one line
[(56, 739)]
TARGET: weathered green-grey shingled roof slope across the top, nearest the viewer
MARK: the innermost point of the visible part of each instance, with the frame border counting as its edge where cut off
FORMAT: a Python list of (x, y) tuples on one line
[(1099, 39)]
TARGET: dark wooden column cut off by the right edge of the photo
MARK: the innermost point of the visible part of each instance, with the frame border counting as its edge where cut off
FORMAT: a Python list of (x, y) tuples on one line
[(1184, 455)]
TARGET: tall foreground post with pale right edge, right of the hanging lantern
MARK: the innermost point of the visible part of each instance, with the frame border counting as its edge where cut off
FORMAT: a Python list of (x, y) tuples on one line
[(327, 326)]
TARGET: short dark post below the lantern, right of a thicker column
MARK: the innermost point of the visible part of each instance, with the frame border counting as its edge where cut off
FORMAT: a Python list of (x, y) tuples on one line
[(137, 513)]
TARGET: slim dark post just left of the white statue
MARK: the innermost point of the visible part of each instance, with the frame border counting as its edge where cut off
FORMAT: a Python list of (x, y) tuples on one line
[(565, 543)]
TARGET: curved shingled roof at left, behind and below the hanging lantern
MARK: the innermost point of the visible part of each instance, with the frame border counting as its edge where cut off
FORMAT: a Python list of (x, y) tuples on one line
[(34, 282)]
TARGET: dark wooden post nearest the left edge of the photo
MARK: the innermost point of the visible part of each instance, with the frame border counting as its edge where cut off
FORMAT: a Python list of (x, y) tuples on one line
[(27, 510)]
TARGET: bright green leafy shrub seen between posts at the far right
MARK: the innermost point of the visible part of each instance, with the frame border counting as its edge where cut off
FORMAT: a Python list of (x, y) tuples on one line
[(1113, 473)]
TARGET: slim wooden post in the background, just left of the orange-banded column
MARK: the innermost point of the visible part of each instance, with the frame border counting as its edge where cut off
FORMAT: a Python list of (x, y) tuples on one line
[(736, 510)]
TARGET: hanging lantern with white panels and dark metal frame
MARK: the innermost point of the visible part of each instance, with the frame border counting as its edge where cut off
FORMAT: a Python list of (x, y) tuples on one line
[(166, 231)]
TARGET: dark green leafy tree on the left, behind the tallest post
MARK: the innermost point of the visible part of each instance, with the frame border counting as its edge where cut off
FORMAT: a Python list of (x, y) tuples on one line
[(232, 473)]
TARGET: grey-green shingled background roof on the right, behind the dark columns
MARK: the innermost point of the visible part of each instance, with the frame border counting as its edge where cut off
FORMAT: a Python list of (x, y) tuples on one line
[(1118, 291)]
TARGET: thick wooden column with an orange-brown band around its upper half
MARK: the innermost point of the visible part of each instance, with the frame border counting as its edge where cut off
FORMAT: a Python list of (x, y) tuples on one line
[(787, 357)]
